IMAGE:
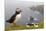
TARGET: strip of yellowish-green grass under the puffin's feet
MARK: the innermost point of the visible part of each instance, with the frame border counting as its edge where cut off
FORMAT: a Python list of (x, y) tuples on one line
[(41, 25)]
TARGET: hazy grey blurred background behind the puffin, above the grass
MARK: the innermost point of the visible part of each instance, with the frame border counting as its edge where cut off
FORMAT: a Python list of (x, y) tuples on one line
[(34, 9)]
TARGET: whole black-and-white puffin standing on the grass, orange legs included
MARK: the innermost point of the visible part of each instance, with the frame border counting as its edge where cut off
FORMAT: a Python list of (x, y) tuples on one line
[(15, 17)]
